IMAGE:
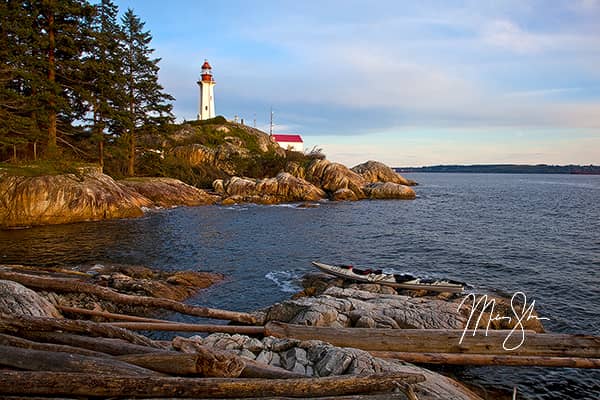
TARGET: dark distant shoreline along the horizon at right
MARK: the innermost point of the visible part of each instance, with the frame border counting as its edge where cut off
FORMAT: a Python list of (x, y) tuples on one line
[(507, 169)]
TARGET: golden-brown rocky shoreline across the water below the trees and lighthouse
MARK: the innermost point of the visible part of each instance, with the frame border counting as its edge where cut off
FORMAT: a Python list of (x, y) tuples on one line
[(91, 195)]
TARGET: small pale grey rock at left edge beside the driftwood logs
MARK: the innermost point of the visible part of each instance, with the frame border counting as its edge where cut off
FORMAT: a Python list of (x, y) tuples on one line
[(17, 299)]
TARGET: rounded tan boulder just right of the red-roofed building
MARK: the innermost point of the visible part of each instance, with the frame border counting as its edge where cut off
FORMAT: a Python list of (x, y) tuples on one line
[(332, 177)]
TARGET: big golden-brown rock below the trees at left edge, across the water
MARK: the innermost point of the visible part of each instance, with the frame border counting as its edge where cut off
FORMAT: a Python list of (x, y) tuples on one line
[(58, 199)]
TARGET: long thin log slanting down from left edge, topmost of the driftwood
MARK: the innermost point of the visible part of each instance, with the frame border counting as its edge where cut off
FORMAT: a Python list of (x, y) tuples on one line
[(79, 286)]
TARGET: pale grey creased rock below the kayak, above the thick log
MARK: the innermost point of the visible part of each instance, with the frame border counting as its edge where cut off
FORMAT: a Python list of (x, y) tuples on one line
[(339, 307)]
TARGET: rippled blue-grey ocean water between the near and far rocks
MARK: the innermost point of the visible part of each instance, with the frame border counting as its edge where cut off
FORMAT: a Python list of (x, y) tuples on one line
[(538, 234)]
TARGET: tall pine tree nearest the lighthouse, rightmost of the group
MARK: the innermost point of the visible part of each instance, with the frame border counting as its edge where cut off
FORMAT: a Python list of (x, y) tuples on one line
[(147, 104)]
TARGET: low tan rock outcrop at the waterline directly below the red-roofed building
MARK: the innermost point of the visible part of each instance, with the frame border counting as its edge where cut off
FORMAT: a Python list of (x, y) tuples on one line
[(283, 188)]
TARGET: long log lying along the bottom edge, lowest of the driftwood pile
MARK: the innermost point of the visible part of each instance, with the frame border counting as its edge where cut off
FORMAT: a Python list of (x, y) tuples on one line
[(77, 384)]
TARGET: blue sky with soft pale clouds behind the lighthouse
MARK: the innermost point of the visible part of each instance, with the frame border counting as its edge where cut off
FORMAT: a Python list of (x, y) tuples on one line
[(408, 83)]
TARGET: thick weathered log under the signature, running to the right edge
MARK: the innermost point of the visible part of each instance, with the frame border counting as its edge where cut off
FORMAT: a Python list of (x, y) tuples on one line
[(443, 341)]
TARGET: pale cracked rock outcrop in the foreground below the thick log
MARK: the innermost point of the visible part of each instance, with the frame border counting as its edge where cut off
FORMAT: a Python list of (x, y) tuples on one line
[(317, 359)]
